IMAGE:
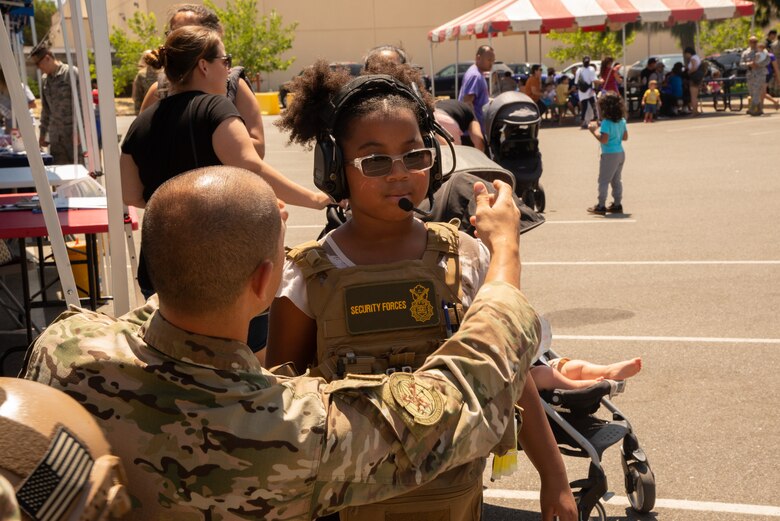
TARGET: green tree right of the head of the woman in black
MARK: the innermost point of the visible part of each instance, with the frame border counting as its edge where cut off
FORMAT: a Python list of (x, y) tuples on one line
[(256, 42)]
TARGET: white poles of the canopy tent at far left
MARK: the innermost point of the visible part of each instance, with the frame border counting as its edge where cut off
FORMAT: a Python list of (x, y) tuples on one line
[(12, 64)]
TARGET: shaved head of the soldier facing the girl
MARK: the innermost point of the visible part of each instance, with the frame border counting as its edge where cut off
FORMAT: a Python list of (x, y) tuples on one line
[(205, 232)]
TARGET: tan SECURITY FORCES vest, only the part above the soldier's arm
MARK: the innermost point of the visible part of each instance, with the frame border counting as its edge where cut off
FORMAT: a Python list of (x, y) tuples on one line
[(384, 317)]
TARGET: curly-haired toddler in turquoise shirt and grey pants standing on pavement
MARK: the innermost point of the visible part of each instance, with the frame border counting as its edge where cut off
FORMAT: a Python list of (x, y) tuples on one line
[(611, 136)]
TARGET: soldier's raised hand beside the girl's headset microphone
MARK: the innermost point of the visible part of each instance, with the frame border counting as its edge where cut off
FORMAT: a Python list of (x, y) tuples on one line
[(497, 218)]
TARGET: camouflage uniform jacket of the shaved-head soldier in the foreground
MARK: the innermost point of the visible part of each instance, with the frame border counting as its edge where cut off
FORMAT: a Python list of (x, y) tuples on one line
[(205, 433)]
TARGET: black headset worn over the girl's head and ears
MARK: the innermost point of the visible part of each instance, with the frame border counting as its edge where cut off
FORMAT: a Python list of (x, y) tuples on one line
[(329, 175)]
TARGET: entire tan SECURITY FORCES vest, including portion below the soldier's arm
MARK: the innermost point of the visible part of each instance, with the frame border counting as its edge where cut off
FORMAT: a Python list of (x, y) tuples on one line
[(389, 317)]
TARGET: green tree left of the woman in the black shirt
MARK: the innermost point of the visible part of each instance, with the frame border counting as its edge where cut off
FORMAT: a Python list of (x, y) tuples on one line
[(128, 48)]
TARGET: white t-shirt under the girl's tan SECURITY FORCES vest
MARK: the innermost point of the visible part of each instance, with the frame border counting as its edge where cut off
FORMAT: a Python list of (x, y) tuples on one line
[(293, 285)]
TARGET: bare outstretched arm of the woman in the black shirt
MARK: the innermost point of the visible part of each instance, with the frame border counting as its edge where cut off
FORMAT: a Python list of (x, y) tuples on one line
[(233, 147)]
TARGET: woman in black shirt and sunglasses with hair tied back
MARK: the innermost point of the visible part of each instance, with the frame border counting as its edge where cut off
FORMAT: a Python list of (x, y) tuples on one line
[(195, 126)]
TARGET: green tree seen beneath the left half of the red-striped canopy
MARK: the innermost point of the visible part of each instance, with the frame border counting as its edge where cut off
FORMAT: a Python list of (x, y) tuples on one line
[(596, 44)]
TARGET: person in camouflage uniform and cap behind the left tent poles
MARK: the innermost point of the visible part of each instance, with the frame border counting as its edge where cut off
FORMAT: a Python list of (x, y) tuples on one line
[(56, 106)]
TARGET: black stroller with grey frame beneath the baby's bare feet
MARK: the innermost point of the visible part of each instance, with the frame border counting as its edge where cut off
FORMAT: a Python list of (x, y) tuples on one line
[(581, 434)]
